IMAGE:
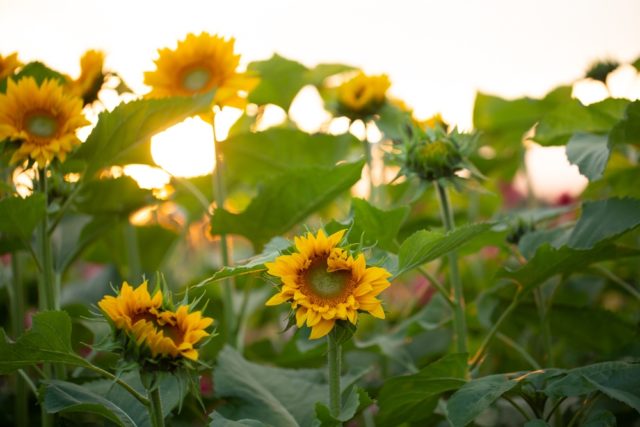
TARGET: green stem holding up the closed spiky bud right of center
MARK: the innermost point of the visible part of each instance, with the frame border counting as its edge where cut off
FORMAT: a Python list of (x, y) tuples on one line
[(459, 321)]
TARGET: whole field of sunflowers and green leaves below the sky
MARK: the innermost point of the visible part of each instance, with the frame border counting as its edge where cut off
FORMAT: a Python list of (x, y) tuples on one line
[(390, 272)]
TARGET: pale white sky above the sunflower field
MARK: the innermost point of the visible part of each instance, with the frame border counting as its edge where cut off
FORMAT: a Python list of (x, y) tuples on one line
[(437, 53)]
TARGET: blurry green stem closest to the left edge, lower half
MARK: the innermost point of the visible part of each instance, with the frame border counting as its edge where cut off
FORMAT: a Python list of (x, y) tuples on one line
[(16, 296)]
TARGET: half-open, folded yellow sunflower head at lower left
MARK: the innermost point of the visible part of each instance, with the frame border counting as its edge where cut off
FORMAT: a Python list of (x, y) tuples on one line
[(144, 321)]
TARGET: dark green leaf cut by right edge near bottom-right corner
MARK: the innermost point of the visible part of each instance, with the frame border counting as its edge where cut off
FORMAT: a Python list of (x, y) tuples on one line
[(617, 380)]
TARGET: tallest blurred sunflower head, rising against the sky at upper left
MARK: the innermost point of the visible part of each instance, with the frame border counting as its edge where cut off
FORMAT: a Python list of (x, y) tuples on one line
[(200, 64)]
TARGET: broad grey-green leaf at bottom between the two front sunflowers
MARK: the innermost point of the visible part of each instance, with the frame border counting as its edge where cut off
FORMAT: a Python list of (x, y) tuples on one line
[(275, 396)]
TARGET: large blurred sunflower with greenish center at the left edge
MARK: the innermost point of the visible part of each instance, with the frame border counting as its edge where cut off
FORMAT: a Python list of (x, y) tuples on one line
[(42, 119)]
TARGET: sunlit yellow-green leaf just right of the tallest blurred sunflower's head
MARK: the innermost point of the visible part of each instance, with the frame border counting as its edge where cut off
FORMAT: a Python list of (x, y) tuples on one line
[(280, 81)]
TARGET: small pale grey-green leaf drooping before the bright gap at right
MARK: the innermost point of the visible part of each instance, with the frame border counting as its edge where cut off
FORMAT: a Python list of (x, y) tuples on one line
[(590, 152)]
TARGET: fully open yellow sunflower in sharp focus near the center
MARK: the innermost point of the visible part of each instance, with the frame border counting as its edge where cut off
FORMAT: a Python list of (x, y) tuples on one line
[(324, 283)]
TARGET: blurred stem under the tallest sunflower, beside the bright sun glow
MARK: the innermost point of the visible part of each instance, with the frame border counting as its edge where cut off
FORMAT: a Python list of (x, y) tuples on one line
[(228, 286)]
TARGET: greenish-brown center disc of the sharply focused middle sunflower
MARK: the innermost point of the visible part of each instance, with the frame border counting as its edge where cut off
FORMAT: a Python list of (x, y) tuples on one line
[(324, 287)]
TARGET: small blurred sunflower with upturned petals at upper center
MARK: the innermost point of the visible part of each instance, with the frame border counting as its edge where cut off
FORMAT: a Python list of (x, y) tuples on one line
[(362, 95)]
